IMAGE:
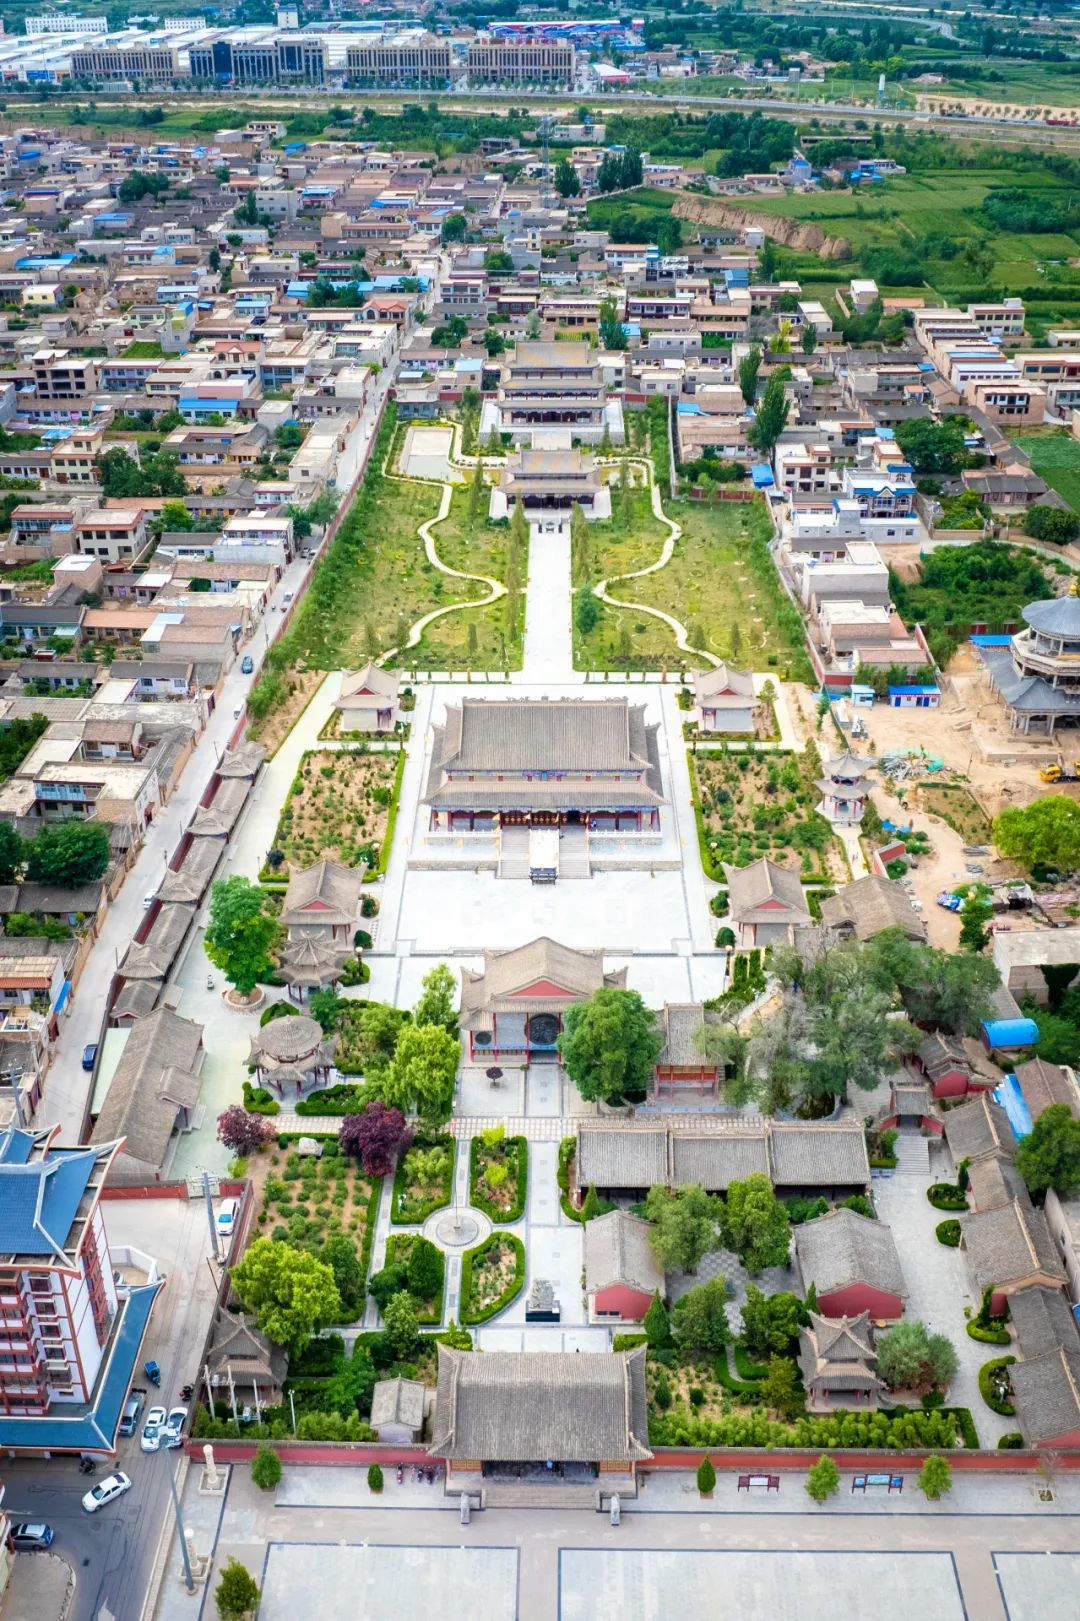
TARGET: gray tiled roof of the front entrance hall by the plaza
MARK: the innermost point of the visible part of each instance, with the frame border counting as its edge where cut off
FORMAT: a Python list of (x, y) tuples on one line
[(516, 1406)]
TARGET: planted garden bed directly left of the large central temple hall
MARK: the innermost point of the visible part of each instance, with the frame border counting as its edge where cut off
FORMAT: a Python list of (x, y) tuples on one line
[(340, 805)]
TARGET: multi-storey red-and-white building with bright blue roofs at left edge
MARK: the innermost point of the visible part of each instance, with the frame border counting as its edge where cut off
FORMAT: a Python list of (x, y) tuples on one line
[(72, 1337)]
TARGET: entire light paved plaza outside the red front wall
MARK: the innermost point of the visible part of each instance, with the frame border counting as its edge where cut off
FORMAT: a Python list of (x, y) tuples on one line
[(732, 1557)]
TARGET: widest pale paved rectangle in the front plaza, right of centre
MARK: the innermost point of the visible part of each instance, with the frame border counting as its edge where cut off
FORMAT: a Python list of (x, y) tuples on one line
[(641, 1585)]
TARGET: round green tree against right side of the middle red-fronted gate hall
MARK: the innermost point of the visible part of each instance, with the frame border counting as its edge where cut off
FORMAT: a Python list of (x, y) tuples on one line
[(611, 1045)]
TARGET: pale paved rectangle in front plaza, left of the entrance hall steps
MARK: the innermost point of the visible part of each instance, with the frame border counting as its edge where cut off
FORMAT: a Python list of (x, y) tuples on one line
[(343, 1583)]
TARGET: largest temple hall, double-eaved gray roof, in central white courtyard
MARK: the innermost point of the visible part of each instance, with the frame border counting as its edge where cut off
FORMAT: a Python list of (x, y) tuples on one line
[(546, 763)]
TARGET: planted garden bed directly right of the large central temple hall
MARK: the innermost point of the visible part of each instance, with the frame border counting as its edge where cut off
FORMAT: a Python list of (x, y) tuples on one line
[(756, 805)]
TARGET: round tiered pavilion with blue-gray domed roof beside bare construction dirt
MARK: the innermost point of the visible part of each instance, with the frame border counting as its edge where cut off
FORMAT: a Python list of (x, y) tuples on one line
[(1039, 675)]
